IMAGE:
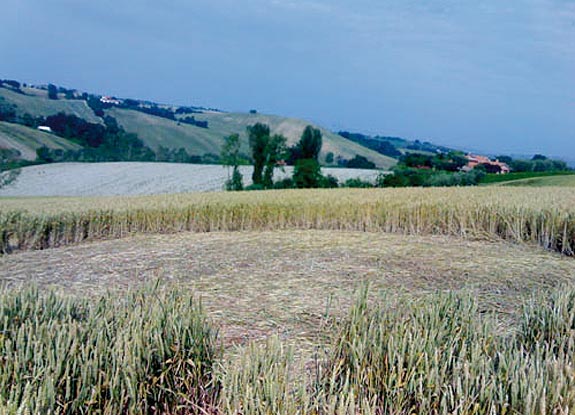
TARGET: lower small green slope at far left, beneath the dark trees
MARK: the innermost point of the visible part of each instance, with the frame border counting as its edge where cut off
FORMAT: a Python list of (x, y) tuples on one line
[(27, 140)]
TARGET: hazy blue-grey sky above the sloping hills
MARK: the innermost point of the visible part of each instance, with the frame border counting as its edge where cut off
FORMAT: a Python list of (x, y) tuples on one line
[(483, 75)]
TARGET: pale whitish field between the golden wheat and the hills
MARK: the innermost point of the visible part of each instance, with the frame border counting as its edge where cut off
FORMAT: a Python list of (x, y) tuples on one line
[(132, 178)]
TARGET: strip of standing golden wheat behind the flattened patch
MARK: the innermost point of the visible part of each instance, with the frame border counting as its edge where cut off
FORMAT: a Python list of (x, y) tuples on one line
[(542, 216)]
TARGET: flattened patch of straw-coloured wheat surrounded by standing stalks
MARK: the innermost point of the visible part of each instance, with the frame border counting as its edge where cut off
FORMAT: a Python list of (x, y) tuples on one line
[(254, 284)]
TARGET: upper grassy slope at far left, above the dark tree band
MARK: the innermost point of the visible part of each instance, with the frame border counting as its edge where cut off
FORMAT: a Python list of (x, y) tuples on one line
[(38, 104)]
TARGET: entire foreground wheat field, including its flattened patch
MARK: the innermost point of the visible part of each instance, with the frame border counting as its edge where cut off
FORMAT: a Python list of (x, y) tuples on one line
[(342, 301)]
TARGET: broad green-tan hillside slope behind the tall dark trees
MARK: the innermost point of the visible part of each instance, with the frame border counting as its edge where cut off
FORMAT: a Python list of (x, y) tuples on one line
[(157, 131)]
